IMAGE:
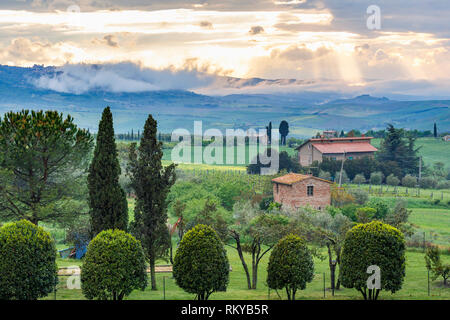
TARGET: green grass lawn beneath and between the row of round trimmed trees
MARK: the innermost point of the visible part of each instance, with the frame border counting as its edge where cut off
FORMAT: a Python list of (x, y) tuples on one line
[(414, 287)]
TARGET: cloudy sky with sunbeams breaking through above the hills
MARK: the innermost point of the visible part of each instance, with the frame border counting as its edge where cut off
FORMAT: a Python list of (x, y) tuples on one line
[(331, 44)]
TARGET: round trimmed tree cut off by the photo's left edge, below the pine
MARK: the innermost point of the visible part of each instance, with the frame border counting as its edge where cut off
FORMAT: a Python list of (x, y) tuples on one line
[(28, 269)]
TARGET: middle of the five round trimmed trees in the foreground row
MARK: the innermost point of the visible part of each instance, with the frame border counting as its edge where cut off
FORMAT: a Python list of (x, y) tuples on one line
[(201, 265)]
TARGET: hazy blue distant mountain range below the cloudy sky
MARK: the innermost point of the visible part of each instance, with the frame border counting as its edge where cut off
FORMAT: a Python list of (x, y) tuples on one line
[(307, 112)]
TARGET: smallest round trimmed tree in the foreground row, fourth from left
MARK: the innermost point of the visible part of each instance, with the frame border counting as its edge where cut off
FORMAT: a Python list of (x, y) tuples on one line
[(291, 266)]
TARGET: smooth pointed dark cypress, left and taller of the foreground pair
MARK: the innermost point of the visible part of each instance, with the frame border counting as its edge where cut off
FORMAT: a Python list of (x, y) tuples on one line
[(107, 200)]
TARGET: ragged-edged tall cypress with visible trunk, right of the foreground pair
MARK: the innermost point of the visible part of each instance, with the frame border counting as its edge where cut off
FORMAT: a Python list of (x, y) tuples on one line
[(151, 183)]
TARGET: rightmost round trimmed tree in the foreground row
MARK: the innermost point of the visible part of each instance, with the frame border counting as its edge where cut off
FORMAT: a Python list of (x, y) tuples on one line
[(373, 244)]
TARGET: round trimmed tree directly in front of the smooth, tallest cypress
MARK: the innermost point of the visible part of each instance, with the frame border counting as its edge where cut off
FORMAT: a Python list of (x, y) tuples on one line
[(113, 267)]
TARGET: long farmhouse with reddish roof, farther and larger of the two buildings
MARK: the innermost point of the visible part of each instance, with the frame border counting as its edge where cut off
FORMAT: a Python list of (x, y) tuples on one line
[(316, 149)]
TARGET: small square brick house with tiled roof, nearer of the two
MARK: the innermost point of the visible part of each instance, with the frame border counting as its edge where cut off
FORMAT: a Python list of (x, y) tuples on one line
[(295, 190)]
